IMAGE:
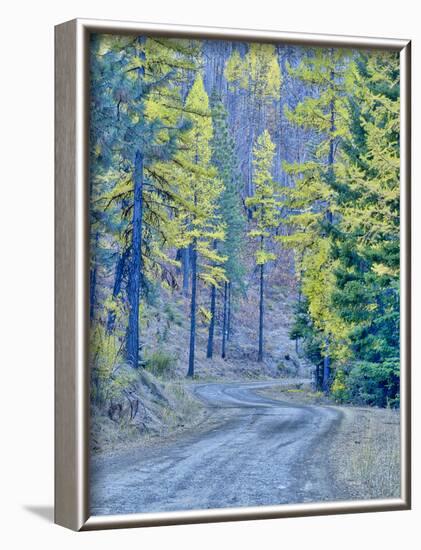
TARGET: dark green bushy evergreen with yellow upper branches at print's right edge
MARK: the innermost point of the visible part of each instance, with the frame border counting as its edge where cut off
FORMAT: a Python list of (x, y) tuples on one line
[(367, 244)]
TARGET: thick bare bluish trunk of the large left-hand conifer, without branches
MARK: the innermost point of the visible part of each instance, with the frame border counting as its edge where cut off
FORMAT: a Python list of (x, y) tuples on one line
[(132, 335)]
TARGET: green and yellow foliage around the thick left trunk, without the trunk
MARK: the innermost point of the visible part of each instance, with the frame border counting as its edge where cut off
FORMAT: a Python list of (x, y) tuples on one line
[(136, 103)]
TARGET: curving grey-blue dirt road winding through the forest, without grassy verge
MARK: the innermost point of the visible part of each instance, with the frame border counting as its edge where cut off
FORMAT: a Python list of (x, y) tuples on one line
[(254, 451)]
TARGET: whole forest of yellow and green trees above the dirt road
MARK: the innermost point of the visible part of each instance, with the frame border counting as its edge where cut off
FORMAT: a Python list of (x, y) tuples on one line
[(244, 216)]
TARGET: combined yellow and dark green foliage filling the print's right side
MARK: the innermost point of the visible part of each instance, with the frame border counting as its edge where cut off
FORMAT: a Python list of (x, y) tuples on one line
[(344, 217)]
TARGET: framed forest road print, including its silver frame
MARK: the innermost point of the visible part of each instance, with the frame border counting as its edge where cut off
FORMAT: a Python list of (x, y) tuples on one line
[(232, 274)]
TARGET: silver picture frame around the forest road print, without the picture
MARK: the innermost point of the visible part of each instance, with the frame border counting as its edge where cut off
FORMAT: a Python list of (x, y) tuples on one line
[(72, 277)]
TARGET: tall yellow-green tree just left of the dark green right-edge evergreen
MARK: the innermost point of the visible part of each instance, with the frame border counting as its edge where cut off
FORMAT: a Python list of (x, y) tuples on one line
[(312, 201)]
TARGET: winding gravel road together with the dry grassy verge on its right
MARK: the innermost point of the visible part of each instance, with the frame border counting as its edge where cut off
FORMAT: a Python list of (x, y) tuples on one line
[(310, 453)]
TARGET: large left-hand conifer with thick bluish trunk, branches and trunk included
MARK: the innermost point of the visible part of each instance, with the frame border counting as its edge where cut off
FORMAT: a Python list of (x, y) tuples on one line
[(138, 127)]
